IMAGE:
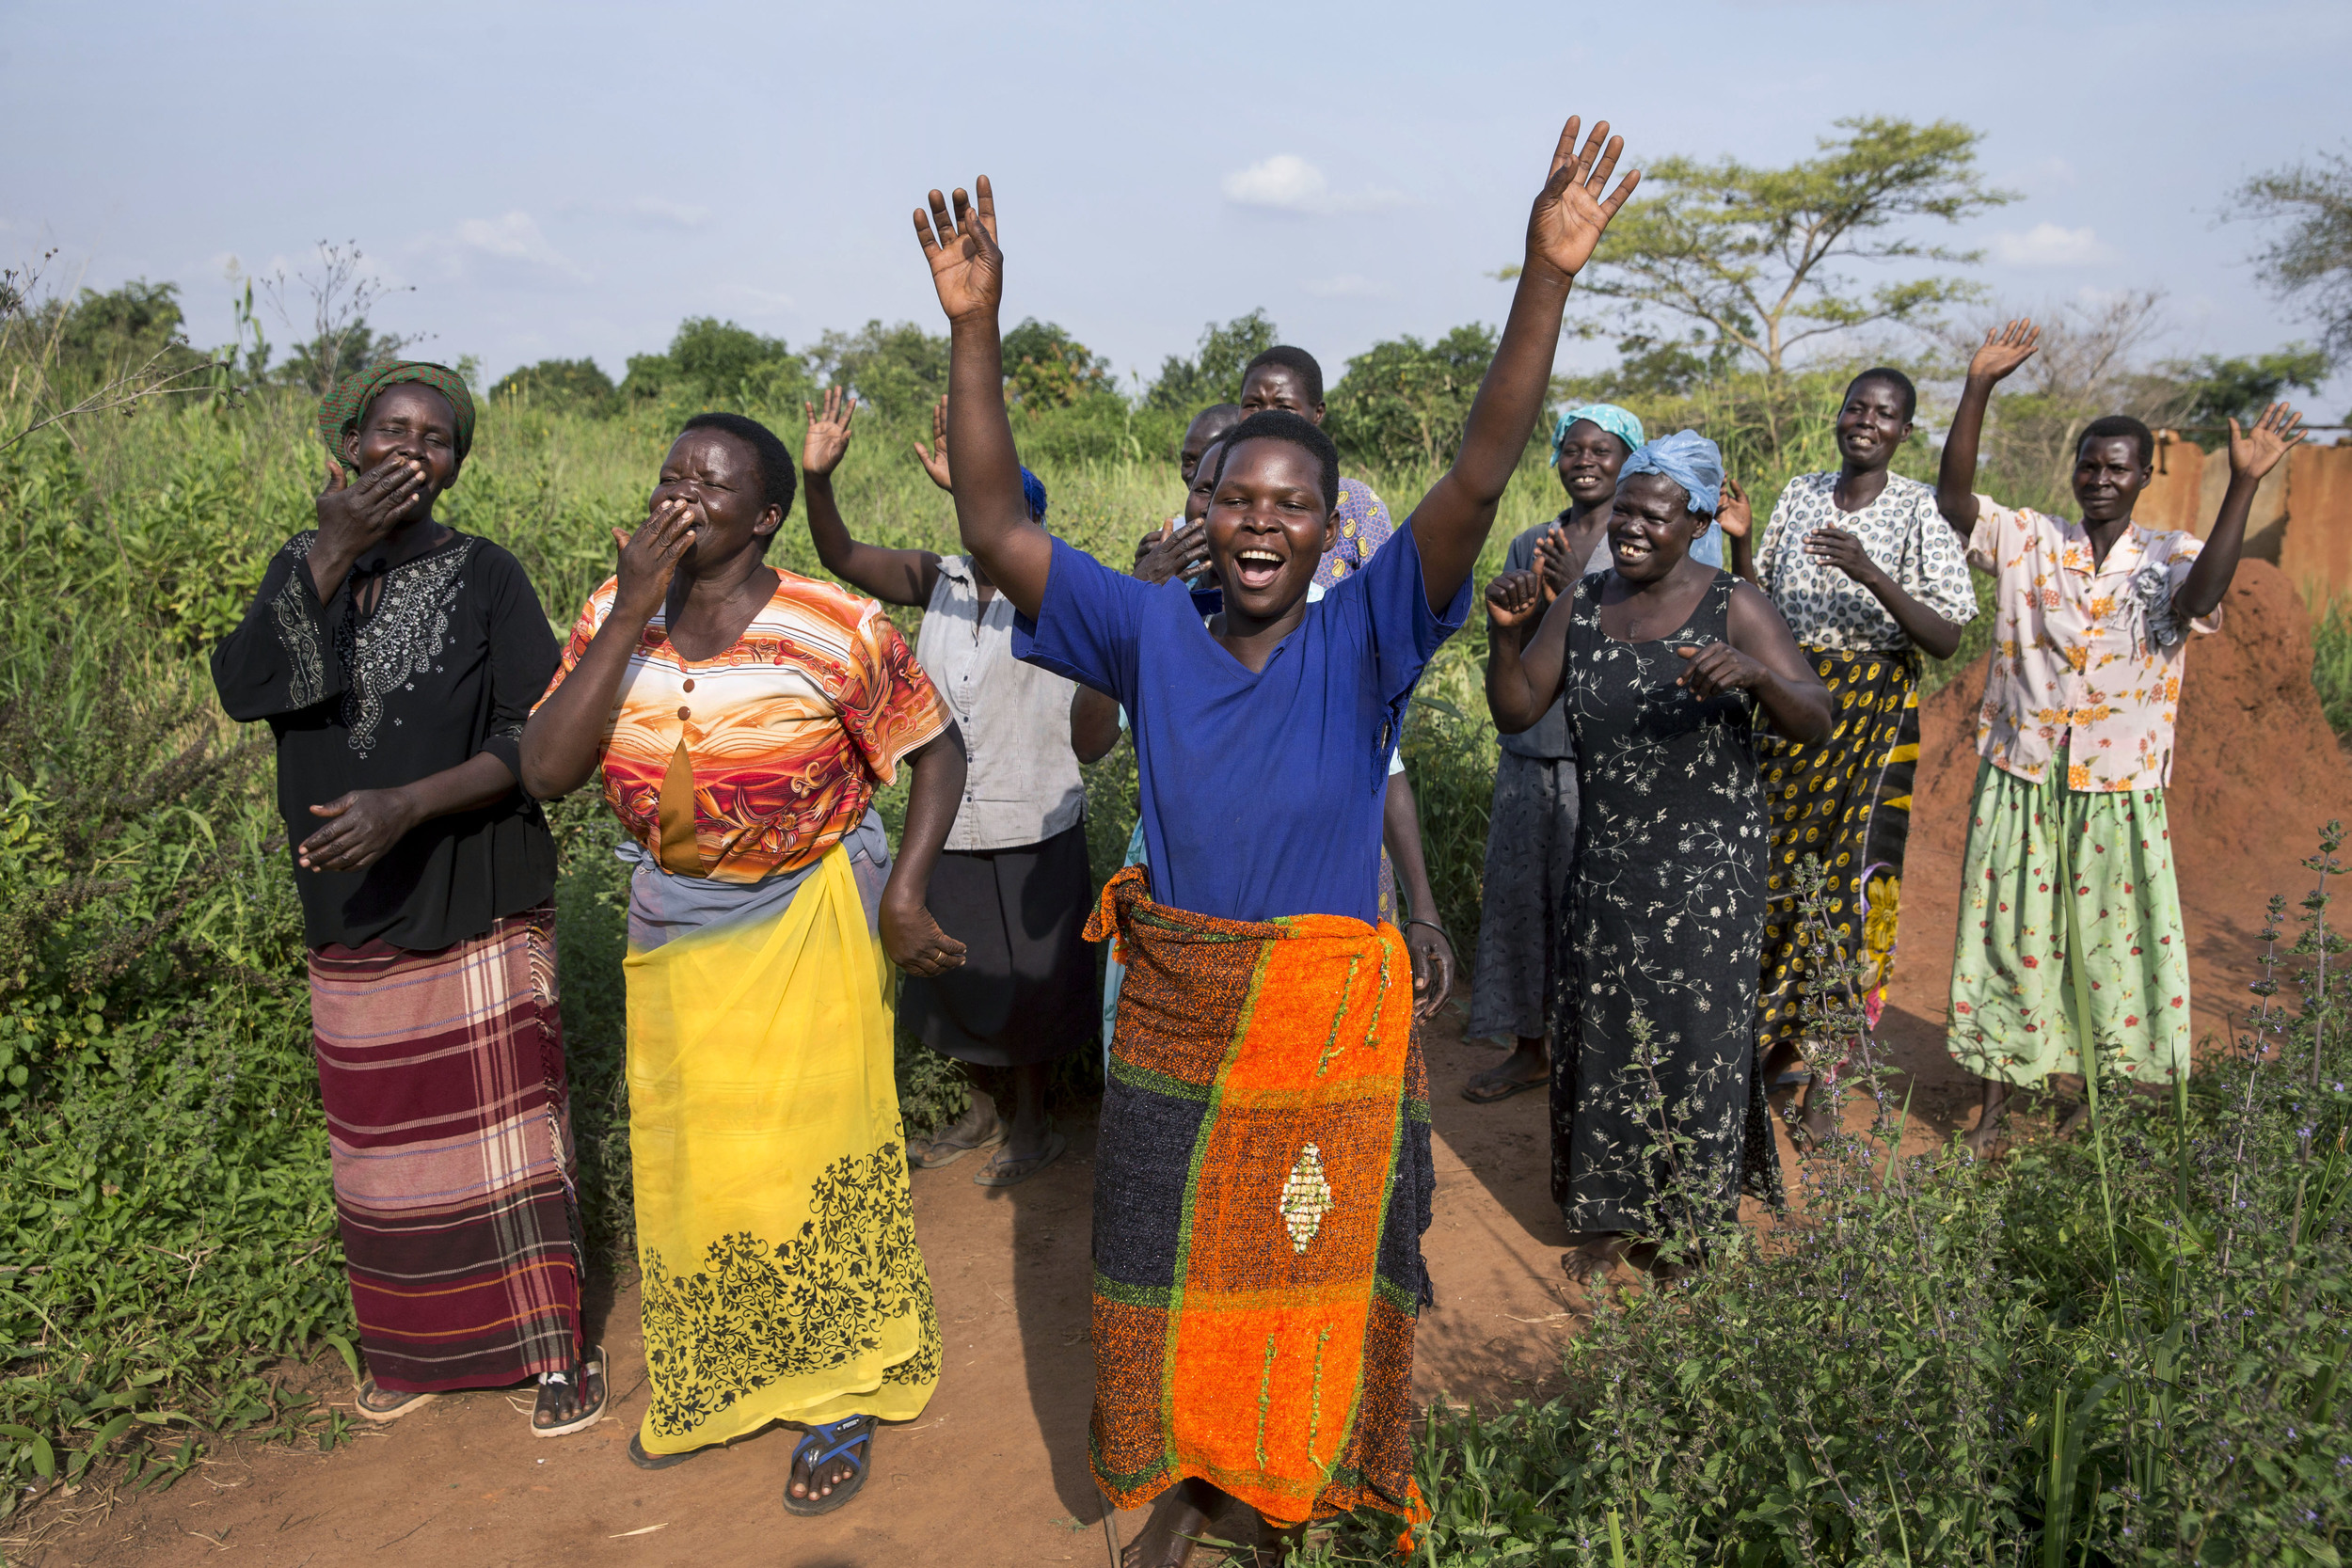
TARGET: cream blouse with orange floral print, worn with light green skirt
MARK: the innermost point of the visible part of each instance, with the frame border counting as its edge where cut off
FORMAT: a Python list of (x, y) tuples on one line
[(2083, 652)]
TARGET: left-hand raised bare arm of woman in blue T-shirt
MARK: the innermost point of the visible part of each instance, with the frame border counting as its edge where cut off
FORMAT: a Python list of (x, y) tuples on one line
[(968, 269)]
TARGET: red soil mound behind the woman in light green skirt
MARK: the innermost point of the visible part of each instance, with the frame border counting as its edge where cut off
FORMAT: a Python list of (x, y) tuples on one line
[(2257, 772)]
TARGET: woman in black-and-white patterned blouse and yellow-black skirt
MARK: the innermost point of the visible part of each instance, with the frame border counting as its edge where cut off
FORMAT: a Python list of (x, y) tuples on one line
[(1869, 579)]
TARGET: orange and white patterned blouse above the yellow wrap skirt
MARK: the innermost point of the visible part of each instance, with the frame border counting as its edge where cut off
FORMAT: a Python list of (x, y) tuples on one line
[(768, 756)]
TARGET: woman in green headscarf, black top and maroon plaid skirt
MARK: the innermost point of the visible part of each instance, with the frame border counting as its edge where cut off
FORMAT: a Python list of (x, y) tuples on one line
[(396, 662)]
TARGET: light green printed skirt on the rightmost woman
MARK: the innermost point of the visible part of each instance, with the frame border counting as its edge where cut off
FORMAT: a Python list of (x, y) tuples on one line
[(2059, 878)]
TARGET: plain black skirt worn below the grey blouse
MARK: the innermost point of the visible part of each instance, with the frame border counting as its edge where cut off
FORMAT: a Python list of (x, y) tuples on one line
[(1027, 989)]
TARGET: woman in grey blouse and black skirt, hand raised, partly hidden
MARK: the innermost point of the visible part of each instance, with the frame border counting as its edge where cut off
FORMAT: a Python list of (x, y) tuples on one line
[(1013, 880)]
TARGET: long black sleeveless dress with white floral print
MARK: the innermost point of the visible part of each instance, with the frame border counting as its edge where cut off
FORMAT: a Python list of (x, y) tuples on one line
[(1659, 1137)]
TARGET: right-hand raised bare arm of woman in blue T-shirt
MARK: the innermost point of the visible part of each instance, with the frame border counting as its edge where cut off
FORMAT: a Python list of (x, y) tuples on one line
[(1575, 208)]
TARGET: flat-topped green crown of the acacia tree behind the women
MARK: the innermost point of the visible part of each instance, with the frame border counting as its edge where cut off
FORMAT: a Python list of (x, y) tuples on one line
[(1756, 257)]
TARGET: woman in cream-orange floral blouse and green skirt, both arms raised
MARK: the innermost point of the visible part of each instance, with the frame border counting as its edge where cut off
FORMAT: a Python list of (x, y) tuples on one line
[(2078, 744)]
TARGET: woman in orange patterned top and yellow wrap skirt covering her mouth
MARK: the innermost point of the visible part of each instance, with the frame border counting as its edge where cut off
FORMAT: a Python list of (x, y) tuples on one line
[(742, 721)]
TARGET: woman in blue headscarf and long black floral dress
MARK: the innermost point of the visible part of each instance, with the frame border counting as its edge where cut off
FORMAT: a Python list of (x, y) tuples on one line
[(1664, 662)]
